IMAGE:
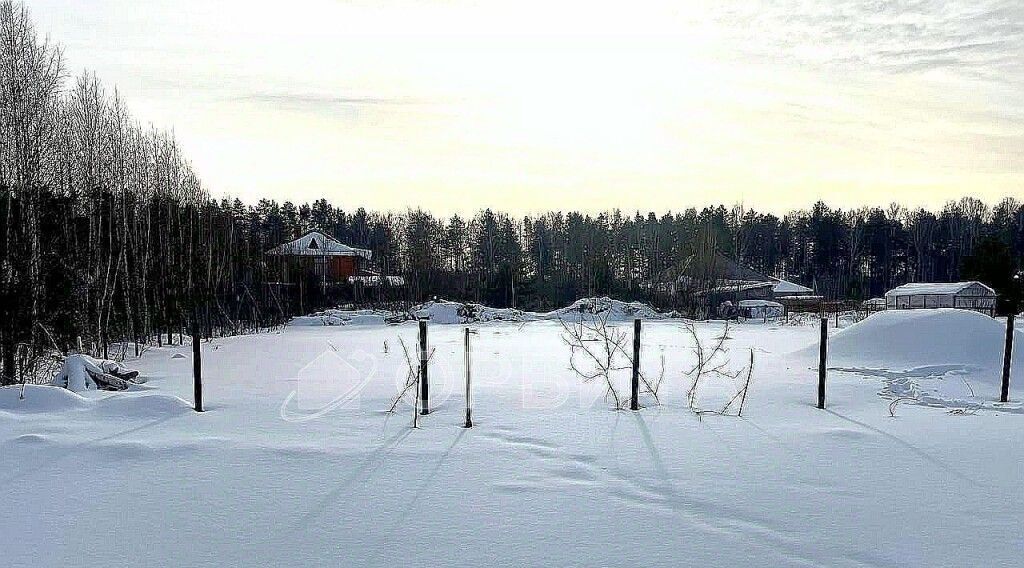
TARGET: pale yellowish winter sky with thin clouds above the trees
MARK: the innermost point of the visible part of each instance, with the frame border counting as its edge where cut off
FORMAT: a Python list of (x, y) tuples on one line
[(535, 106)]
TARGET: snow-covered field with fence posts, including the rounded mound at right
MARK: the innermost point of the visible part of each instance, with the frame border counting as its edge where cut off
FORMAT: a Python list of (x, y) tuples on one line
[(276, 474)]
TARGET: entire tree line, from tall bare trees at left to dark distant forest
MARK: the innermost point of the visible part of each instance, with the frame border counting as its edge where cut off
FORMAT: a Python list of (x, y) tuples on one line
[(109, 236)]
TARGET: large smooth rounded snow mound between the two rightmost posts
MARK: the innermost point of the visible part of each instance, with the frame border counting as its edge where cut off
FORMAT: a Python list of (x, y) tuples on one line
[(908, 339)]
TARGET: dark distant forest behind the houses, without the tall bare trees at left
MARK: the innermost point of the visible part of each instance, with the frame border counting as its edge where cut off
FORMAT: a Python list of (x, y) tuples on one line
[(549, 260)]
